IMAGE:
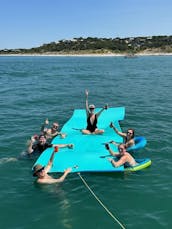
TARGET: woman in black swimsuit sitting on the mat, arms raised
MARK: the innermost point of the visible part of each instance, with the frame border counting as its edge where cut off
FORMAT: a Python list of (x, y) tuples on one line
[(92, 118)]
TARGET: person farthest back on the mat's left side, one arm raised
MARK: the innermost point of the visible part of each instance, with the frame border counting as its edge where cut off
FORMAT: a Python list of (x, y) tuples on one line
[(51, 132)]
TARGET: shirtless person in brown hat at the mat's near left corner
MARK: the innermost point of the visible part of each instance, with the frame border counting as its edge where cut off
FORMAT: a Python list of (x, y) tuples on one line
[(41, 172)]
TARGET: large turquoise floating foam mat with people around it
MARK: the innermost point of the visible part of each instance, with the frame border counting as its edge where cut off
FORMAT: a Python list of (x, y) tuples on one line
[(89, 153)]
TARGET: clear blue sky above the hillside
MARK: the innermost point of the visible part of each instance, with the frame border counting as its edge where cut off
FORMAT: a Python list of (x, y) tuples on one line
[(31, 23)]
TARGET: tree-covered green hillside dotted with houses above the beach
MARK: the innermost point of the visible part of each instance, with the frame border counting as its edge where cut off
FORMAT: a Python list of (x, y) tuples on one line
[(132, 45)]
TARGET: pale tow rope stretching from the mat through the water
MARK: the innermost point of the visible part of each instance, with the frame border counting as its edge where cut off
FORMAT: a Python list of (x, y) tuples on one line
[(100, 202)]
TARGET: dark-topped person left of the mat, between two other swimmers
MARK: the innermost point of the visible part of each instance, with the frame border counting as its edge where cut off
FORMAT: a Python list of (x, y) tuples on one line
[(38, 146)]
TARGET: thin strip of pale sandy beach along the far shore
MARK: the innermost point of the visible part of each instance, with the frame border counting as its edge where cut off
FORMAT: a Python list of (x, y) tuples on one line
[(92, 55)]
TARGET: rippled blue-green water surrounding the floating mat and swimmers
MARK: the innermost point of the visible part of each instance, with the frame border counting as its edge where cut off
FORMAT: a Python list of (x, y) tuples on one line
[(33, 88)]
